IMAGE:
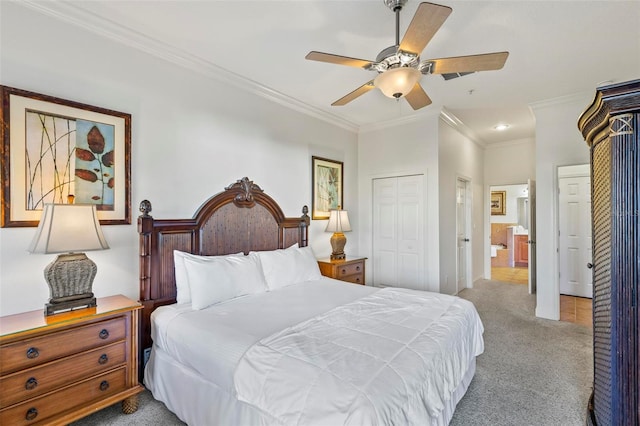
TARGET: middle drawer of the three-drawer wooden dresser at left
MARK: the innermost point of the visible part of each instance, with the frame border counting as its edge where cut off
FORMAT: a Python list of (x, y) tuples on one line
[(36, 381)]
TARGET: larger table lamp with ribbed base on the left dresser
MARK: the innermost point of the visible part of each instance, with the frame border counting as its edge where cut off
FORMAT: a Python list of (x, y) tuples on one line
[(69, 229)]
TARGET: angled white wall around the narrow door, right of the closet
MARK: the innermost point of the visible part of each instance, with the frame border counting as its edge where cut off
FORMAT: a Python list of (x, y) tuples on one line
[(458, 157)]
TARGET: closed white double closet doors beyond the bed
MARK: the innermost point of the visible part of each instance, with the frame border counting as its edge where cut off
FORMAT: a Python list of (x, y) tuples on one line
[(398, 240)]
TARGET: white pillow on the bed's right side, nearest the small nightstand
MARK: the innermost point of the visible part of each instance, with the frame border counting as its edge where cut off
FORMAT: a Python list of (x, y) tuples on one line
[(288, 266)]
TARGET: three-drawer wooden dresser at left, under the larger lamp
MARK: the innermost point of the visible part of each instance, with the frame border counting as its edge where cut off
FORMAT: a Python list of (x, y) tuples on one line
[(57, 369)]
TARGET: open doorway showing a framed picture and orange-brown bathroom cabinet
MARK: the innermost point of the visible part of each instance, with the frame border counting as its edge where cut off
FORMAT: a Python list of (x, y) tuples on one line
[(510, 220)]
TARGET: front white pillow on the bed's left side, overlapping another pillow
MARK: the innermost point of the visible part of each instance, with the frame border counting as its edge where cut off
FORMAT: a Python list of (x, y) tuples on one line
[(222, 278)]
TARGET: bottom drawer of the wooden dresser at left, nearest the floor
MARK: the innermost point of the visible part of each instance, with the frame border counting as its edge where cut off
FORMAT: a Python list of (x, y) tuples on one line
[(38, 410)]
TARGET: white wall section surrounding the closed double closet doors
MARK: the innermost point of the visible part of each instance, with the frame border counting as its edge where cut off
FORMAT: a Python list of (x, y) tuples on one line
[(399, 151)]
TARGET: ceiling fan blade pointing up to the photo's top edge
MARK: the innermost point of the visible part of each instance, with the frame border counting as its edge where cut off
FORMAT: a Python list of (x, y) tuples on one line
[(425, 23)]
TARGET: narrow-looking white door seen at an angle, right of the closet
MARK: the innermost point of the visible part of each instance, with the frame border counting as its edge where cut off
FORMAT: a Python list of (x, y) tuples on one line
[(462, 234)]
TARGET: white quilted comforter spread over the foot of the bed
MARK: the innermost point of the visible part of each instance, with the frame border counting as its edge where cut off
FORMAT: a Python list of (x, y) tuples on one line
[(392, 357)]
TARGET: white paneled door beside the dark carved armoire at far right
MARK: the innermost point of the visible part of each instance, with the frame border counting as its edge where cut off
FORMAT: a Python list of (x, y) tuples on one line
[(574, 216)]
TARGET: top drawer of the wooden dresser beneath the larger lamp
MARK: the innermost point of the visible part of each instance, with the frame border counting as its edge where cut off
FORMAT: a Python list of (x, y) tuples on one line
[(36, 351)]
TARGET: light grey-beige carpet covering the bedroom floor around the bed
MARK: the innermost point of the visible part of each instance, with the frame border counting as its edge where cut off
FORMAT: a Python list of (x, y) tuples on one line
[(533, 371)]
